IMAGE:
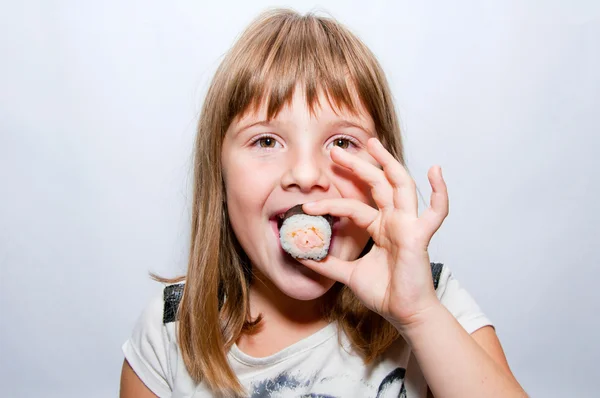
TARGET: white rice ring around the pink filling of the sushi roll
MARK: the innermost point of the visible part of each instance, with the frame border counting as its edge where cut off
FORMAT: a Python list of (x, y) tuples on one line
[(304, 221)]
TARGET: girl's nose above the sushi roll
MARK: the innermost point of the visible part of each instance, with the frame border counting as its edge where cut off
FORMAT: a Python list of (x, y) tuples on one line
[(306, 172)]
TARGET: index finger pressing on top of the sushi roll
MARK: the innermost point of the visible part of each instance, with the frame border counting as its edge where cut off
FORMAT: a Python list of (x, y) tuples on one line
[(360, 213)]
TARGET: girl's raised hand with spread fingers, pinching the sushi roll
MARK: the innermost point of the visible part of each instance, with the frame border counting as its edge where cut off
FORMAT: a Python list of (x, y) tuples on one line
[(394, 278)]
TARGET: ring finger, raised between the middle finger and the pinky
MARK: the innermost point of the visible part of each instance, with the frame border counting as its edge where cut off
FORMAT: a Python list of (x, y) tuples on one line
[(403, 186)]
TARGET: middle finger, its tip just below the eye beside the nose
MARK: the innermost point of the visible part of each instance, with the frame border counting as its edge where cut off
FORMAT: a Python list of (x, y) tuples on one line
[(381, 190)]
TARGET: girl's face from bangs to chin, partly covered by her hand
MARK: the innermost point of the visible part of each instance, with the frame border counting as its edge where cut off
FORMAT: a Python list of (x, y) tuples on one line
[(269, 167)]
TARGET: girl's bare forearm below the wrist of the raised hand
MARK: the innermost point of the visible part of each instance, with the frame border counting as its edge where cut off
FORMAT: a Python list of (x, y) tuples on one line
[(452, 362)]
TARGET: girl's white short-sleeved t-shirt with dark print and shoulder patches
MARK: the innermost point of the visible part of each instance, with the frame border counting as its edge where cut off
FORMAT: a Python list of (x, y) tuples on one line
[(317, 366)]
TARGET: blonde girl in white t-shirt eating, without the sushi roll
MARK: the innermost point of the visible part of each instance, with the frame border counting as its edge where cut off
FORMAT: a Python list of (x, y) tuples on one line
[(299, 112)]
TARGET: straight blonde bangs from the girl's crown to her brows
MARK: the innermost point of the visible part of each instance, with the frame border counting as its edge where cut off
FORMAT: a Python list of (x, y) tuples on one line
[(281, 52)]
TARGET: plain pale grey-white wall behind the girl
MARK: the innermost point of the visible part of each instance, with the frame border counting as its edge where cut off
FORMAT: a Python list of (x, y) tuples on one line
[(98, 106)]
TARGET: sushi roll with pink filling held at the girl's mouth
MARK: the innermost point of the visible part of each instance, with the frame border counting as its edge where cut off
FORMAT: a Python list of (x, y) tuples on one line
[(304, 236)]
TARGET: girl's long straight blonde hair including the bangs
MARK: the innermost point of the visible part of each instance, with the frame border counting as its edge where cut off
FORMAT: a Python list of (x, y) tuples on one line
[(278, 50)]
